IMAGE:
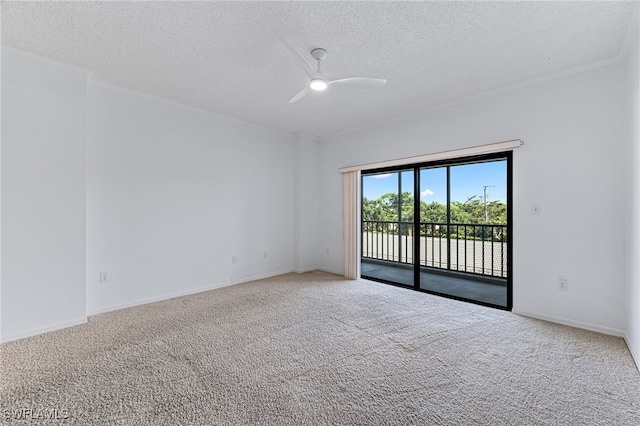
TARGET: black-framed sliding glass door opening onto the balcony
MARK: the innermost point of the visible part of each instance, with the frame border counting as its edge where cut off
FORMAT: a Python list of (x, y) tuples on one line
[(441, 228)]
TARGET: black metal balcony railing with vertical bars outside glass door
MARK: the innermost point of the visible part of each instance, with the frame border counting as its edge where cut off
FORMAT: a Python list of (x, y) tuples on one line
[(473, 248)]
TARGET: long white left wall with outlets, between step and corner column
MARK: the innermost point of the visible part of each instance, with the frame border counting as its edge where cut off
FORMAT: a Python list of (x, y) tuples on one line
[(174, 193)]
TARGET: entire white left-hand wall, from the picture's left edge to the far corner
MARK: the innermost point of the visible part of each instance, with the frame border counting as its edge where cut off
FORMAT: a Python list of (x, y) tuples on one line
[(160, 196)]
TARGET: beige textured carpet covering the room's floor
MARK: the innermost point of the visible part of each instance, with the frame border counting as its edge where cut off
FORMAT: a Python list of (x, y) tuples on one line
[(317, 349)]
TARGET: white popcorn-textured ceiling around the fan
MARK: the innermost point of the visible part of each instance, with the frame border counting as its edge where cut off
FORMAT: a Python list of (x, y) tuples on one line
[(224, 56)]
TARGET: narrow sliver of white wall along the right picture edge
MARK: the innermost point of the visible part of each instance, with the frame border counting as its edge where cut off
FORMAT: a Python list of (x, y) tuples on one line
[(632, 83)]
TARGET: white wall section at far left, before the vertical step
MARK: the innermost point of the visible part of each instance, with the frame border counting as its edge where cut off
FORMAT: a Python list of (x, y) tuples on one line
[(43, 196)]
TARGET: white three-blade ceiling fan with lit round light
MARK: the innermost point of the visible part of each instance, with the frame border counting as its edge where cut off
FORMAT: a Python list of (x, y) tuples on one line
[(319, 81)]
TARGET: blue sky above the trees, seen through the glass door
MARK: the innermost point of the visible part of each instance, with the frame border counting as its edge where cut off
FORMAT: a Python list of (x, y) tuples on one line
[(466, 181)]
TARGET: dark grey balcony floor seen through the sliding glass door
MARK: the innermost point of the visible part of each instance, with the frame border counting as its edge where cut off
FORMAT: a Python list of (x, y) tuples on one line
[(493, 293)]
